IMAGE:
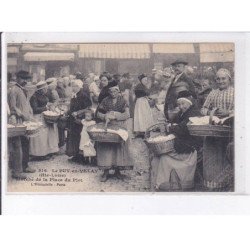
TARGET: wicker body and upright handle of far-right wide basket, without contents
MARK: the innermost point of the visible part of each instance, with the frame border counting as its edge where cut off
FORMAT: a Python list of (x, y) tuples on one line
[(210, 130)]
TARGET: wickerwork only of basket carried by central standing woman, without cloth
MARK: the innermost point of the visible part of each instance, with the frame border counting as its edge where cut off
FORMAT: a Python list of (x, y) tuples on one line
[(104, 136)]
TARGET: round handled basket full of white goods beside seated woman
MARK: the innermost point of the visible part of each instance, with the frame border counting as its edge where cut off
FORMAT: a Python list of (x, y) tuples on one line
[(158, 142)]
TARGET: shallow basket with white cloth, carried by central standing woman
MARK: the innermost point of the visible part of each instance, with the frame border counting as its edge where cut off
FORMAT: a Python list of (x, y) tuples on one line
[(110, 133)]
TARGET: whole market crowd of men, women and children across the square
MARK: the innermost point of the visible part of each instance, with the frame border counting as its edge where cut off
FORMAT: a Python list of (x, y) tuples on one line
[(123, 100)]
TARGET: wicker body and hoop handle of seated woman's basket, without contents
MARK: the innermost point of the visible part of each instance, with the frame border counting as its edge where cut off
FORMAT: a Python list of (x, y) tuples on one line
[(158, 148)]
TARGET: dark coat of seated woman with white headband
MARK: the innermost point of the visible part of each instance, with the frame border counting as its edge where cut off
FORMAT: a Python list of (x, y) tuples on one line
[(184, 142)]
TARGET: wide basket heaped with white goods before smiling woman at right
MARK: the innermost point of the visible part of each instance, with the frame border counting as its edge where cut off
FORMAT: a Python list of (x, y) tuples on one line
[(209, 126)]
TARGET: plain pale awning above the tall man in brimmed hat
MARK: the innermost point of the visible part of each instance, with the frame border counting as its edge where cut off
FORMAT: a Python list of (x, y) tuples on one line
[(173, 48)]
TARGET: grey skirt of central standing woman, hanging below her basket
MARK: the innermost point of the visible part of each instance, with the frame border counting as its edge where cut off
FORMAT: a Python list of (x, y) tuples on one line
[(114, 154)]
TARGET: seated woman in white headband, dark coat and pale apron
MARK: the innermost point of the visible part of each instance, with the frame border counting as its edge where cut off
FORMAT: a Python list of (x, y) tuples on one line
[(178, 167)]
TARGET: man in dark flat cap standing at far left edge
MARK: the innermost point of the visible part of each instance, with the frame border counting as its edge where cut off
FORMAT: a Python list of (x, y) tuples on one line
[(21, 110)]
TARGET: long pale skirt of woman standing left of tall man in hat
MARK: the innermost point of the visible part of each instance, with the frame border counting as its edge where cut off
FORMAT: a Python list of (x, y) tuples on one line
[(143, 117)]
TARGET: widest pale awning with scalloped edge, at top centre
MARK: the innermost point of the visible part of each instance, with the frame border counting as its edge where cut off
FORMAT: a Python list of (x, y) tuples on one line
[(116, 51)]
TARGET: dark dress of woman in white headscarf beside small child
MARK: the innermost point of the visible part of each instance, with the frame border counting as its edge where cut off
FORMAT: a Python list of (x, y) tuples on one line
[(80, 102)]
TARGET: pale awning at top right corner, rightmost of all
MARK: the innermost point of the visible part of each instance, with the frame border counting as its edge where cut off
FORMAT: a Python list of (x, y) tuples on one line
[(216, 52)]
